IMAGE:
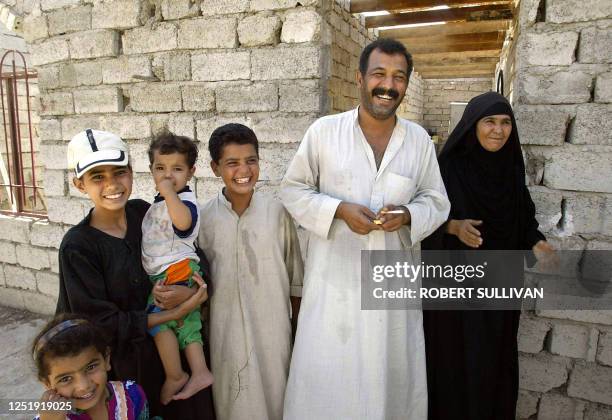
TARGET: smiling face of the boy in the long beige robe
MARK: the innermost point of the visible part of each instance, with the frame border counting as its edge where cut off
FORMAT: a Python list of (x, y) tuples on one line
[(238, 167)]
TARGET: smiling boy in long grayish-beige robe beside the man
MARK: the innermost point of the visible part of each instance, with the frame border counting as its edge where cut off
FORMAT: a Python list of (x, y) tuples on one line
[(254, 253)]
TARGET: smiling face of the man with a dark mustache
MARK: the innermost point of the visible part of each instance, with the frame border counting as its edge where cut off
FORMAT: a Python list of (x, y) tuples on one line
[(384, 84)]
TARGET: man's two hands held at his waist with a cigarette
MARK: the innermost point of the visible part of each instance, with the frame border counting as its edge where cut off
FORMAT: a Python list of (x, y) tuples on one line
[(360, 219)]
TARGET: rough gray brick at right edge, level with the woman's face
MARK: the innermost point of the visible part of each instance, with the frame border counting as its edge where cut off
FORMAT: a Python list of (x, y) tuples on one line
[(592, 125)]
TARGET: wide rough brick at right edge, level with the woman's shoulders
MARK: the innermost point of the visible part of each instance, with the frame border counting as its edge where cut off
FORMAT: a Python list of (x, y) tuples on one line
[(578, 170)]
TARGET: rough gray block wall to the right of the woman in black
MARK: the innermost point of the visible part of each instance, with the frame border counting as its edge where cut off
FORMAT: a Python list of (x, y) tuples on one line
[(562, 97)]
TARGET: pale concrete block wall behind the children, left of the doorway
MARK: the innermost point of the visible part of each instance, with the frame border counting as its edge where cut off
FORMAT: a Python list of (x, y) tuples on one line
[(137, 67)]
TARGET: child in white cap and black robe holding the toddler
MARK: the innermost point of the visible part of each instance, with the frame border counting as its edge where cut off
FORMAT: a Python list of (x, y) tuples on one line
[(101, 273)]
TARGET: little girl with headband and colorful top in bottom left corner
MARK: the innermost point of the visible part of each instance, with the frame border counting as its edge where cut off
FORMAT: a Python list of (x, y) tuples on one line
[(72, 359)]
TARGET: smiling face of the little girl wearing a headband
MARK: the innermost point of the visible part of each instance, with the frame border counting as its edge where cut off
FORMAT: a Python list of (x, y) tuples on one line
[(81, 378)]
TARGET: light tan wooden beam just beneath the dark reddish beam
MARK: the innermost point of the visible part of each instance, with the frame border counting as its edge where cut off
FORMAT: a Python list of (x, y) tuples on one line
[(451, 28)]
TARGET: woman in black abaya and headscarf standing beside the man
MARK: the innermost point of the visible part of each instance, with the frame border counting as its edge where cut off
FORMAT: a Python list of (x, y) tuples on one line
[(472, 356)]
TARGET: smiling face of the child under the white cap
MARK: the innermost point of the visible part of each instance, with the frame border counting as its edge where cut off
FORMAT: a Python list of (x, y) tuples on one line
[(109, 187)]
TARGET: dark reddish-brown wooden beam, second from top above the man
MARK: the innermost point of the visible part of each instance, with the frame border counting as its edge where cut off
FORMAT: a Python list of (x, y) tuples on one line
[(464, 13)]
